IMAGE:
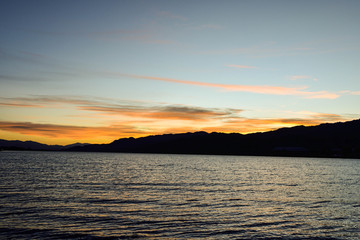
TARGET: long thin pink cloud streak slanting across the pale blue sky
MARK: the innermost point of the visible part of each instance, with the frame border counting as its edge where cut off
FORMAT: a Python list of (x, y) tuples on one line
[(273, 90)]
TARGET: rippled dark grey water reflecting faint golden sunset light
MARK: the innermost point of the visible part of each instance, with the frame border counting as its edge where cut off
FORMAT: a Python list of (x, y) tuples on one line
[(55, 195)]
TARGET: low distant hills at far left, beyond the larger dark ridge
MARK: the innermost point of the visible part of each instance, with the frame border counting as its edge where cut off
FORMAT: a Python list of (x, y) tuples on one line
[(30, 145)]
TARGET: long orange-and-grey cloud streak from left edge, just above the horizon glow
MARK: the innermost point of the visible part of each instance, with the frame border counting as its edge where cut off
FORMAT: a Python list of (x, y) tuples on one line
[(125, 108)]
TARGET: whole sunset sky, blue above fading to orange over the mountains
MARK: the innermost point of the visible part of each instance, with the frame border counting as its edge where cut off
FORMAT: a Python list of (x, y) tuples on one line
[(96, 71)]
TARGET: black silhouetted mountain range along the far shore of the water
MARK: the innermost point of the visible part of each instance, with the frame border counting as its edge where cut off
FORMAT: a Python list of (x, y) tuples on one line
[(340, 139)]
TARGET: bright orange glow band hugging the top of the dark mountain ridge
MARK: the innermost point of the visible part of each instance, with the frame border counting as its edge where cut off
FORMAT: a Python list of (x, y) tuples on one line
[(65, 134)]
